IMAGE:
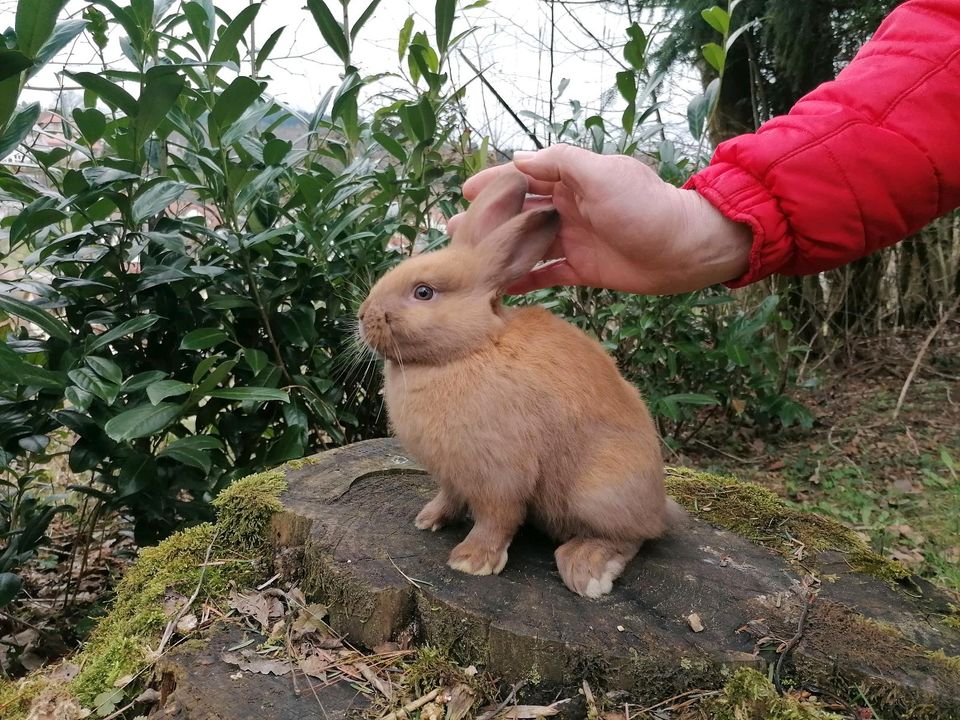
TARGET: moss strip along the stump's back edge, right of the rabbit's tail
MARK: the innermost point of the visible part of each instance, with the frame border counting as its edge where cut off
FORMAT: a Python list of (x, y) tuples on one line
[(757, 514)]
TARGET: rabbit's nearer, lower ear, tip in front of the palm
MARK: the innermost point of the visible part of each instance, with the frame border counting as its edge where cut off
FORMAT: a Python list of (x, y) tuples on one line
[(516, 246)]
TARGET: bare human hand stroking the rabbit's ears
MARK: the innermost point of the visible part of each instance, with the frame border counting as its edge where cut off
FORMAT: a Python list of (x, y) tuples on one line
[(621, 226)]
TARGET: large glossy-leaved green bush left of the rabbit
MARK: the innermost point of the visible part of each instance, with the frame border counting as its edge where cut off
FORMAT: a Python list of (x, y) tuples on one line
[(184, 351)]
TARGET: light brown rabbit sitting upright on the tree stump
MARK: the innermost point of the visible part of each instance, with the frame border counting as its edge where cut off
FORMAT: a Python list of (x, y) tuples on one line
[(516, 413)]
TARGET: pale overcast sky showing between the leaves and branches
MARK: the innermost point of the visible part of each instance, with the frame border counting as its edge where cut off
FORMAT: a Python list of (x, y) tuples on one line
[(509, 44)]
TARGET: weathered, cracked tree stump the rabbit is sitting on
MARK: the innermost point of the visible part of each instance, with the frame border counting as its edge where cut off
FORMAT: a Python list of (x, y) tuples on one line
[(689, 608)]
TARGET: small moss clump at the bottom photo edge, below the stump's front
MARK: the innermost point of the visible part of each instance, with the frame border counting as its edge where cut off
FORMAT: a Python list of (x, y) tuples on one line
[(749, 695)]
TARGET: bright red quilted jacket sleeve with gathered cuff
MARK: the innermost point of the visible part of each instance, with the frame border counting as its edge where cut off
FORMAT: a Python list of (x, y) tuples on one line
[(859, 163)]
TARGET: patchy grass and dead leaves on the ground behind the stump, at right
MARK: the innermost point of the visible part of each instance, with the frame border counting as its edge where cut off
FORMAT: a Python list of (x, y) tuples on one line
[(893, 481)]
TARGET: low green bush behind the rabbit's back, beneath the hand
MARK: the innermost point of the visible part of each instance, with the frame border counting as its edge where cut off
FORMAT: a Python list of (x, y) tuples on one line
[(696, 357)]
